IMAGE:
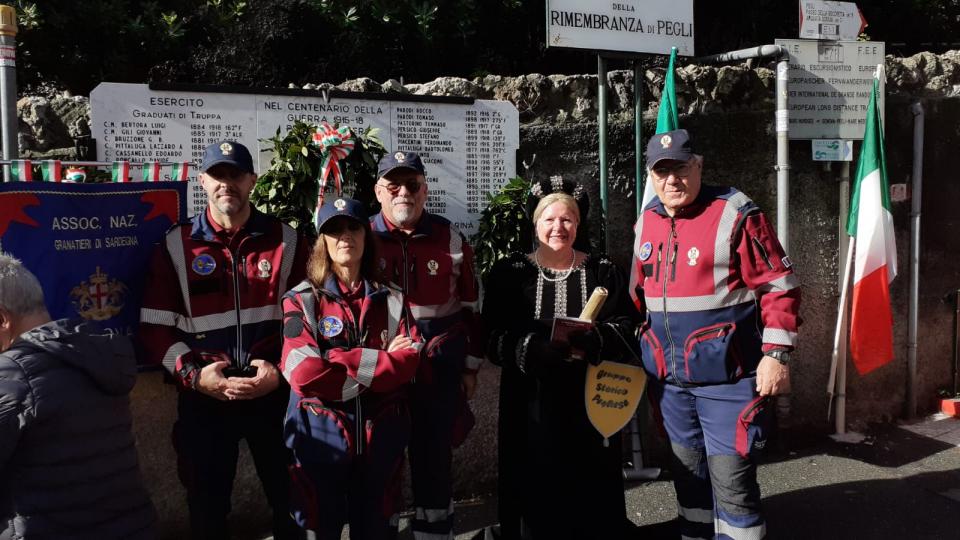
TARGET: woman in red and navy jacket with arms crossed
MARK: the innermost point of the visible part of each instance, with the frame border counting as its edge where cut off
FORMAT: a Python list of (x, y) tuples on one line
[(347, 354)]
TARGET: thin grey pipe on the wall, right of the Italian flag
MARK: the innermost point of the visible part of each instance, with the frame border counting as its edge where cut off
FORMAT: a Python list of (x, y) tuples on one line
[(915, 200)]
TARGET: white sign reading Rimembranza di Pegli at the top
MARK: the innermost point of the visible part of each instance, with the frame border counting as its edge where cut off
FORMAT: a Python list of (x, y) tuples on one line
[(634, 26)]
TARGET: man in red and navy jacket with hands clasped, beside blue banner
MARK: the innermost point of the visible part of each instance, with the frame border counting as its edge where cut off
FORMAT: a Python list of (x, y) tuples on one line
[(211, 316)]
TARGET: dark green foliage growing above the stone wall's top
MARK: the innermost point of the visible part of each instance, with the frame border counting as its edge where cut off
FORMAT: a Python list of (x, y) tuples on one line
[(76, 45)]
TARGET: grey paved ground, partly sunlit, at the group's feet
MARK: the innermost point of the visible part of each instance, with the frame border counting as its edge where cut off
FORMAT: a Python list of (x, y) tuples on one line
[(902, 481)]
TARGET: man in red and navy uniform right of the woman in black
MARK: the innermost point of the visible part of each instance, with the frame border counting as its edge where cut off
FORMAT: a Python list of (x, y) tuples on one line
[(721, 303)]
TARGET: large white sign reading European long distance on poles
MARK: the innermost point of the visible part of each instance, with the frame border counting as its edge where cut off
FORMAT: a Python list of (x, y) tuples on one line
[(829, 85)]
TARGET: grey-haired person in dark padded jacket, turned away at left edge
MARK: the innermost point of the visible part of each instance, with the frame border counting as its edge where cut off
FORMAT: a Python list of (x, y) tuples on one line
[(68, 464)]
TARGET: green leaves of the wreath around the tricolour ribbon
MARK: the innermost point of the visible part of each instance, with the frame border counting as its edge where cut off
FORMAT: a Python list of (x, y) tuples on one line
[(289, 190)]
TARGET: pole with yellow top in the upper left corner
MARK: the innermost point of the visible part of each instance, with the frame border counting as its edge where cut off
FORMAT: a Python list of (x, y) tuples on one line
[(8, 84)]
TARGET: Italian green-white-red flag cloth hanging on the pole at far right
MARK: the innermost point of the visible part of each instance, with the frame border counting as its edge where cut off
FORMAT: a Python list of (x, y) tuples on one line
[(875, 265)]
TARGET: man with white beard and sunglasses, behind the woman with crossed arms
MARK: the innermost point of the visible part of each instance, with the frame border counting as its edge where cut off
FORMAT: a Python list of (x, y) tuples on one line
[(430, 260)]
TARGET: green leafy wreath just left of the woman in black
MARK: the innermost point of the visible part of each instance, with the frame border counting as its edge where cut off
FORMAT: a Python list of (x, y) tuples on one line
[(504, 226)]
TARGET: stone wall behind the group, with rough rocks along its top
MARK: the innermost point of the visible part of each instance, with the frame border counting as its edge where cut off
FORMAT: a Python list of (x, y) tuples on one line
[(730, 110)]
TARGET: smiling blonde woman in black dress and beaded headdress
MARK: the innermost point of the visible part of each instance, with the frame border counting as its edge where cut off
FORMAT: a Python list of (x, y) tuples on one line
[(558, 479)]
